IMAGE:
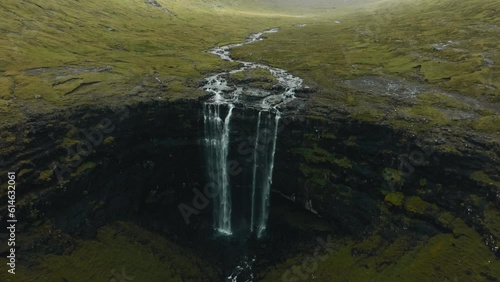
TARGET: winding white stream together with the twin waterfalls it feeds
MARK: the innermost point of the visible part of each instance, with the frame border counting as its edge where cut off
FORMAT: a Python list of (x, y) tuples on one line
[(226, 98)]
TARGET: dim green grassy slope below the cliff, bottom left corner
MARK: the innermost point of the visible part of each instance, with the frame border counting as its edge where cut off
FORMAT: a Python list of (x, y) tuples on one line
[(120, 252)]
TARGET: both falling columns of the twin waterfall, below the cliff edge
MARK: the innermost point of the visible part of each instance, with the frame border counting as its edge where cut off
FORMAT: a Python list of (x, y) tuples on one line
[(216, 144)]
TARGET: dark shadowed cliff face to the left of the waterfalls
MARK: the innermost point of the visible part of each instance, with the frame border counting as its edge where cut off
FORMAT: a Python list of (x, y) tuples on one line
[(100, 165)]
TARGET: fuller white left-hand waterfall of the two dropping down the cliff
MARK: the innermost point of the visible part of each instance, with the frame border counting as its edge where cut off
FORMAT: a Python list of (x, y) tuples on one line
[(217, 149)]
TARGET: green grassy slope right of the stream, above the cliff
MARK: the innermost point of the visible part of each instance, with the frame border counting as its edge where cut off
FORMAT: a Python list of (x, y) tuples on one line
[(401, 62)]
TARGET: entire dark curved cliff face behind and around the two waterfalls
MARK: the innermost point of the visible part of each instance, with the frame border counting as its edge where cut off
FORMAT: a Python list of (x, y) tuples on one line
[(146, 164)]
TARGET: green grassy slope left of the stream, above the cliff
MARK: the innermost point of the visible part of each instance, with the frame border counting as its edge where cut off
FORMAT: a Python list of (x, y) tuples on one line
[(55, 54)]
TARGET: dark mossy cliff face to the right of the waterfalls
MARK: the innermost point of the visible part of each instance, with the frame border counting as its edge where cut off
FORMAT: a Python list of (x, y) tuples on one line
[(345, 171)]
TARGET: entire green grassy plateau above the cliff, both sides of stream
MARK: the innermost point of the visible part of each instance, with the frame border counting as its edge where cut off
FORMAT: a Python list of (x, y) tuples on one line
[(436, 63)]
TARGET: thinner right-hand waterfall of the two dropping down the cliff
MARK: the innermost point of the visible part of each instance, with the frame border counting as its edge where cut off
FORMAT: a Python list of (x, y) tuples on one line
[(264, 150)]
